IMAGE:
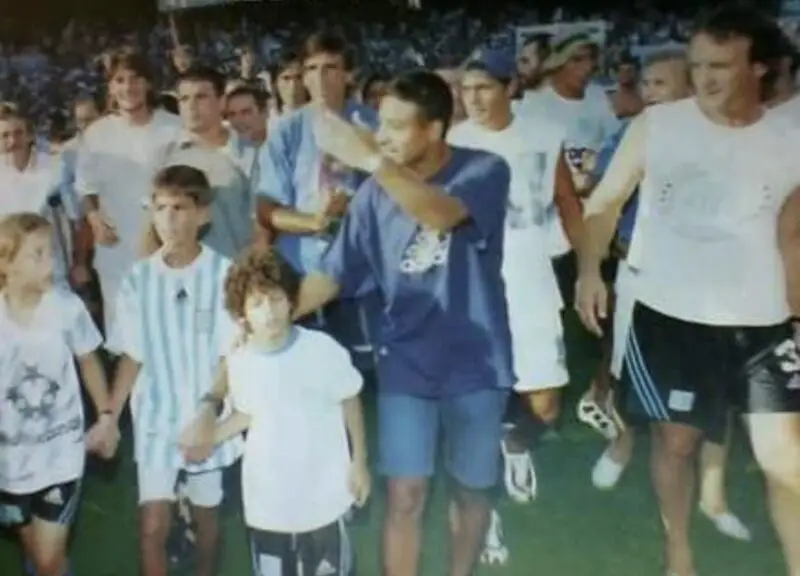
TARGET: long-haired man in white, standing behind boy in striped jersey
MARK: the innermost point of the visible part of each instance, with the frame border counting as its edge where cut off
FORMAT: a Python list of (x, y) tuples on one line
[(118, 158)]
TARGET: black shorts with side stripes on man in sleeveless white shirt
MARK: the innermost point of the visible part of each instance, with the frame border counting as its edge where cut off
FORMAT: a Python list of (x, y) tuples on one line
[(694, 374)]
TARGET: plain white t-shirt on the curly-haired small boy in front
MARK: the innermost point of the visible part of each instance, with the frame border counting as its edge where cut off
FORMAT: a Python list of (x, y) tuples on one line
[(296, 458)]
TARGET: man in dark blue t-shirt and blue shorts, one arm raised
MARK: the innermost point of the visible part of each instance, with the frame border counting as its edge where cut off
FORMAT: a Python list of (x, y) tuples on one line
[(426, 233)]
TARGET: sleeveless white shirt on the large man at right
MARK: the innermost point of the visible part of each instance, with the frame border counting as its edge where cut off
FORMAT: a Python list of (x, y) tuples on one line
[(705, 240)]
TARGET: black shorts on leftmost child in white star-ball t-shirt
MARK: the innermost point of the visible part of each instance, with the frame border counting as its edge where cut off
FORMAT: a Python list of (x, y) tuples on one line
[(57, 504)]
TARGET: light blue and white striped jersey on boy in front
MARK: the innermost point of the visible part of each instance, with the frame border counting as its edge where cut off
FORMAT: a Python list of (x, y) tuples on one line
[(173, 322)]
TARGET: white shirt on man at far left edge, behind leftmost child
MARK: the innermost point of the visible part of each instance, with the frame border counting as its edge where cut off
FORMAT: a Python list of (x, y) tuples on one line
[(29, 190)]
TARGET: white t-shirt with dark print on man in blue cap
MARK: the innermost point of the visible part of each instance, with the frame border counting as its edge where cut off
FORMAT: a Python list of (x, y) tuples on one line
[(532, 151)]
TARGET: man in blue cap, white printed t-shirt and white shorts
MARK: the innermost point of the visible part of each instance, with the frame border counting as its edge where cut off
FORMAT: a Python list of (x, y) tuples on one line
[(540, 177)]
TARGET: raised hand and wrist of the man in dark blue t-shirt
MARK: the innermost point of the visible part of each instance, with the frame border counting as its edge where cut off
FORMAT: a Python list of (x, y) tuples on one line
[(350, 144)]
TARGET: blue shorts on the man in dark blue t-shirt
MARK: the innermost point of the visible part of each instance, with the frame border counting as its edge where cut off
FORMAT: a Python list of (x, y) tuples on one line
[(470, 424)]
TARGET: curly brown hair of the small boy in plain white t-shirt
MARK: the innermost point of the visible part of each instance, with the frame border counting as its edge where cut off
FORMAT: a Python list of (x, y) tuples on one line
[(259, 269)]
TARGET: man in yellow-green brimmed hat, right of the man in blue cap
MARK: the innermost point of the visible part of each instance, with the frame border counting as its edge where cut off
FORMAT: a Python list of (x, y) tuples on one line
[(584, 111)]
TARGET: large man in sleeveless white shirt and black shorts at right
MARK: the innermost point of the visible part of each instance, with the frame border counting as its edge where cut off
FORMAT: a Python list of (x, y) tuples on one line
[(717, 273)]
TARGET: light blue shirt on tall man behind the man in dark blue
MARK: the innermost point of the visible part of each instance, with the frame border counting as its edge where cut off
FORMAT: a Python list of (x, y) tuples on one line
[(289, 171)]
